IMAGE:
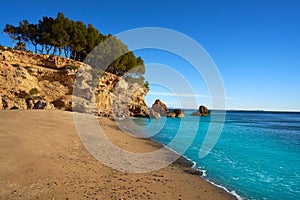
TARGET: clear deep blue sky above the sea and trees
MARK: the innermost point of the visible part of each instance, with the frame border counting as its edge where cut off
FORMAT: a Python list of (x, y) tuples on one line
[(255, 44)]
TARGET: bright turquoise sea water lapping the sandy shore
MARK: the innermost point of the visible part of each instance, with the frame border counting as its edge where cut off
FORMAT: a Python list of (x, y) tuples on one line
[(257, 154)]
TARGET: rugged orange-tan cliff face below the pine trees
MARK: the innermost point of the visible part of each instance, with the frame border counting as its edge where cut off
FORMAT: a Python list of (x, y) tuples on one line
[(32, 81)]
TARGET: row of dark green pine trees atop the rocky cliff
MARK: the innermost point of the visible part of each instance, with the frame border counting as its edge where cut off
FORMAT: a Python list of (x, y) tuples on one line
[(75, 40)]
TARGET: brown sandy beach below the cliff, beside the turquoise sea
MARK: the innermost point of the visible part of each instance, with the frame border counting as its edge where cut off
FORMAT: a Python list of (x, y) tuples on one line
[(42, 157)]
